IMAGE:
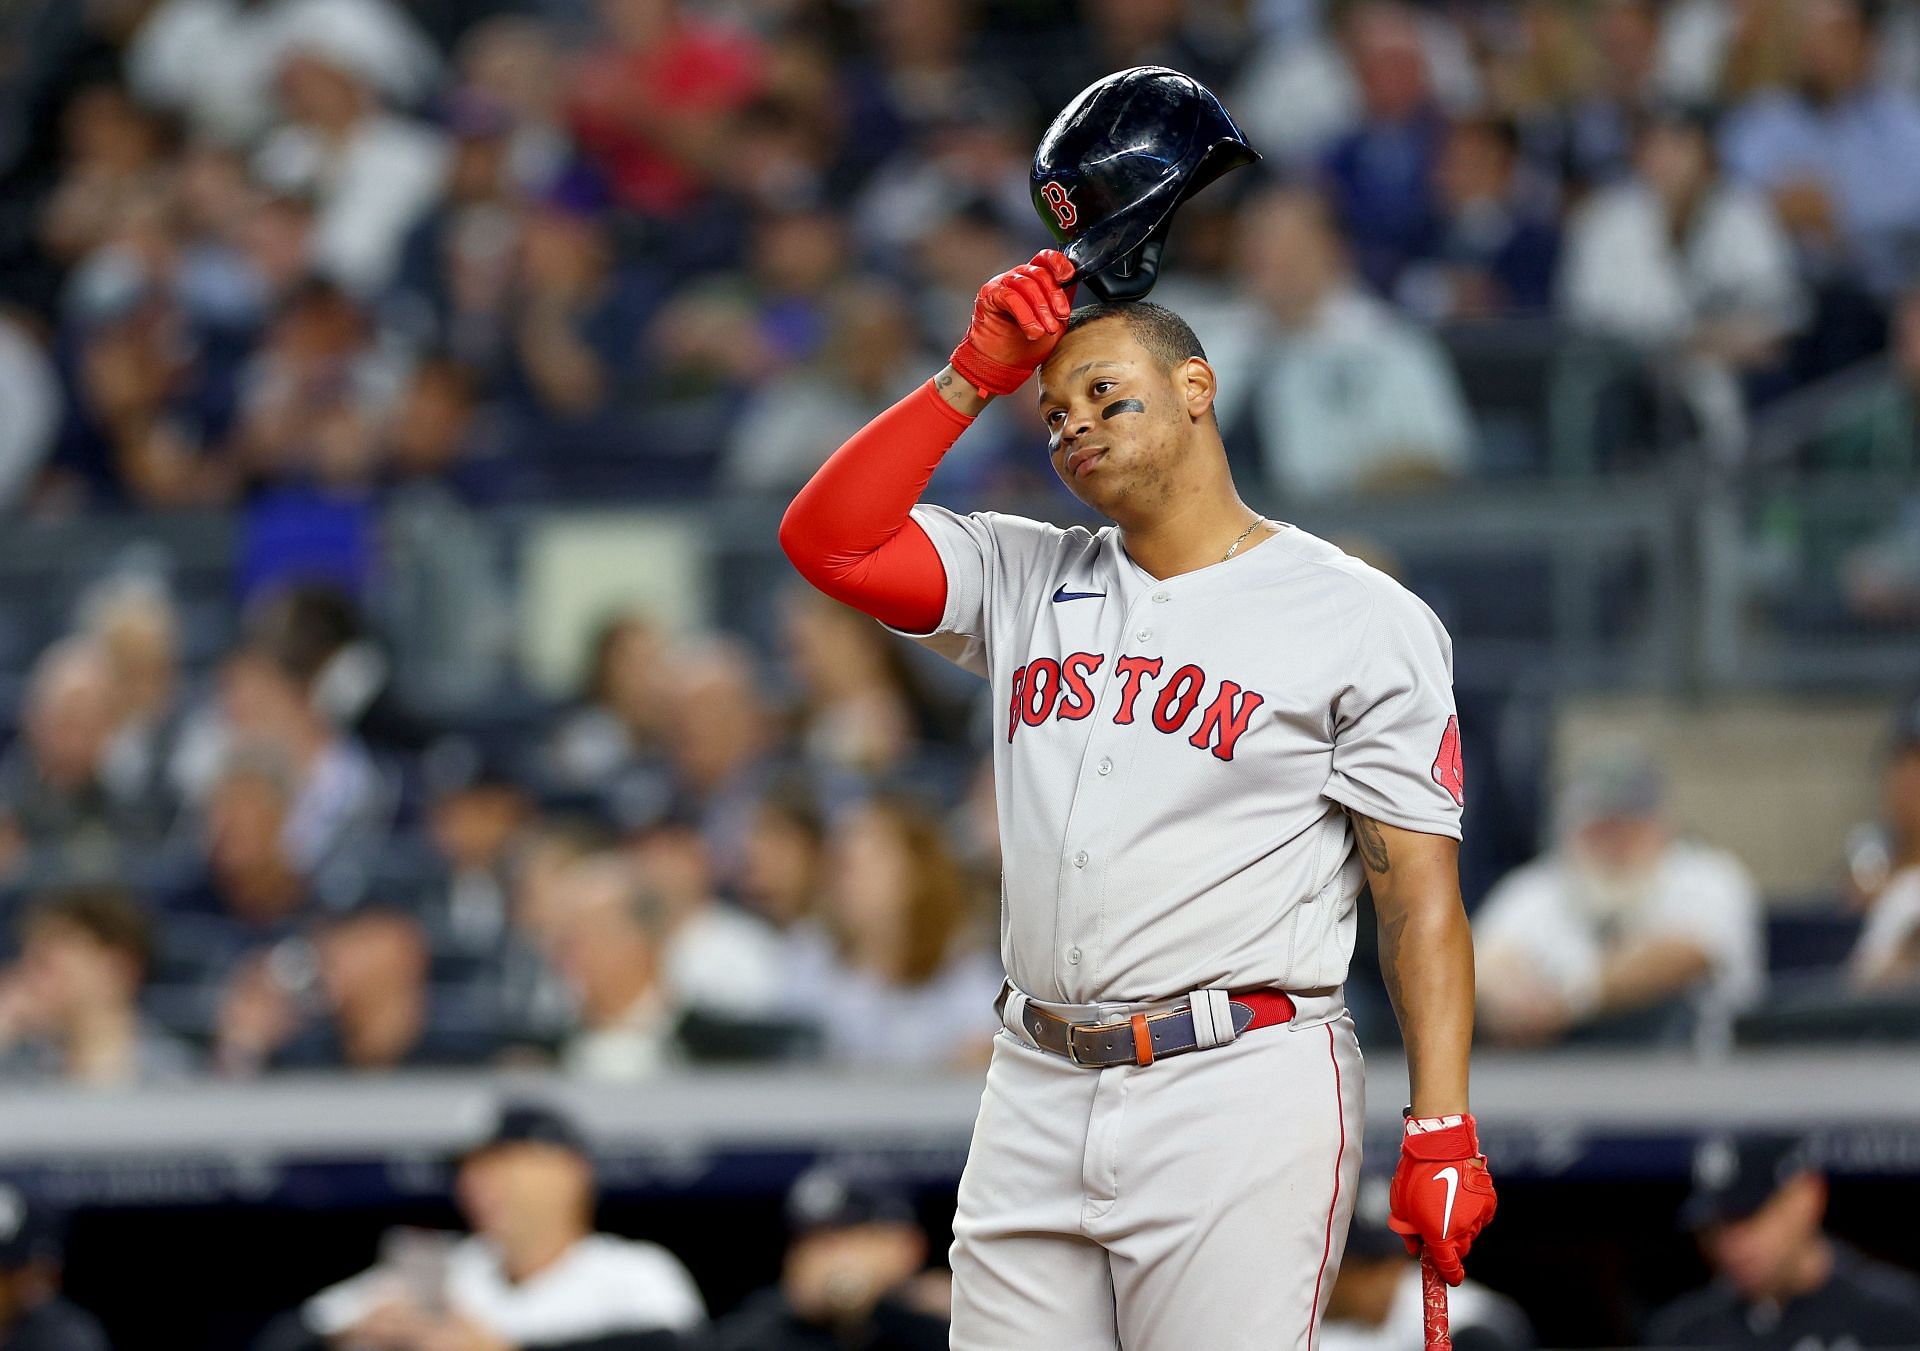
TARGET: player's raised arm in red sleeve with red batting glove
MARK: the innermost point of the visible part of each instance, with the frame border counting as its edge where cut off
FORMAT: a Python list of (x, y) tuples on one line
[(850, 531)]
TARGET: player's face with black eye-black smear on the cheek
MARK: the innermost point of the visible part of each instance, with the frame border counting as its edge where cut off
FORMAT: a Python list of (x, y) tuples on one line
[(1116, 423)]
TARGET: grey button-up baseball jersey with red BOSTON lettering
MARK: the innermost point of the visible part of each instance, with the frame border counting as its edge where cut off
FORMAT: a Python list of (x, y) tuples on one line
[(1172, 757)]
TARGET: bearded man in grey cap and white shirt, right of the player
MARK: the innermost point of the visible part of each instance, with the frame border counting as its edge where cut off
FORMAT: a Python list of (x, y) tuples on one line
[(1620, 930)]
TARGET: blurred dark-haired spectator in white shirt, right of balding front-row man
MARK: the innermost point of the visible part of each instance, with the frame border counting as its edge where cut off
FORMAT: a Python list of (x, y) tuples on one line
[(717, 959)]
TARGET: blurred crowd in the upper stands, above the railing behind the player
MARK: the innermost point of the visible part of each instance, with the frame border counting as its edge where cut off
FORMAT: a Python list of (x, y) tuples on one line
[(327, 260)]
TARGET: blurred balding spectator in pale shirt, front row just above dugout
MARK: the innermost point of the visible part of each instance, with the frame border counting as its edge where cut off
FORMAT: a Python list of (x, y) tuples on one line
[(608, 943)]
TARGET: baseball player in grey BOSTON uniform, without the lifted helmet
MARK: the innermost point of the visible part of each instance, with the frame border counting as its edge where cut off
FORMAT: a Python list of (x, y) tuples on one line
[(1211, 732)]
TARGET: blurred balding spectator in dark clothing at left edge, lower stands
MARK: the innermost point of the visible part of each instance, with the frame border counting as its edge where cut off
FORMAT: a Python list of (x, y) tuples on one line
[(59, 807)]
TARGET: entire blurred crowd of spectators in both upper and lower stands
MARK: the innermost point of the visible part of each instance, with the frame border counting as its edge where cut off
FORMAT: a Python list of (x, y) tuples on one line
[(364, 272)]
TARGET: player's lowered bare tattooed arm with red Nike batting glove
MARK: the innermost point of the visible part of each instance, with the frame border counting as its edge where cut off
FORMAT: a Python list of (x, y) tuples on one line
[(1443, 1195)]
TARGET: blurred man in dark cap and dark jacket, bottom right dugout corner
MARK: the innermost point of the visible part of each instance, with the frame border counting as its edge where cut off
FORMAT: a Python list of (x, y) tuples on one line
[(1781, 1281)]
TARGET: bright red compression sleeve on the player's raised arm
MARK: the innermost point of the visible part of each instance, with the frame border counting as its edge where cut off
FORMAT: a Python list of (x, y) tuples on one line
[(850, 531)]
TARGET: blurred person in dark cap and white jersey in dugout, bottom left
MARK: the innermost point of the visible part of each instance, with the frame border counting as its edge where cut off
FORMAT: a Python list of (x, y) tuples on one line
[(531, 1275)]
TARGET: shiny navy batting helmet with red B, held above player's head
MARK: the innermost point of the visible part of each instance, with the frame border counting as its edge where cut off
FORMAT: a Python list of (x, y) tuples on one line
[(1118, 160)]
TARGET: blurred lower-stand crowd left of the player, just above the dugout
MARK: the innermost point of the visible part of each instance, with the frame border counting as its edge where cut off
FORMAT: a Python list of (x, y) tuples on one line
[(279, 870)]
